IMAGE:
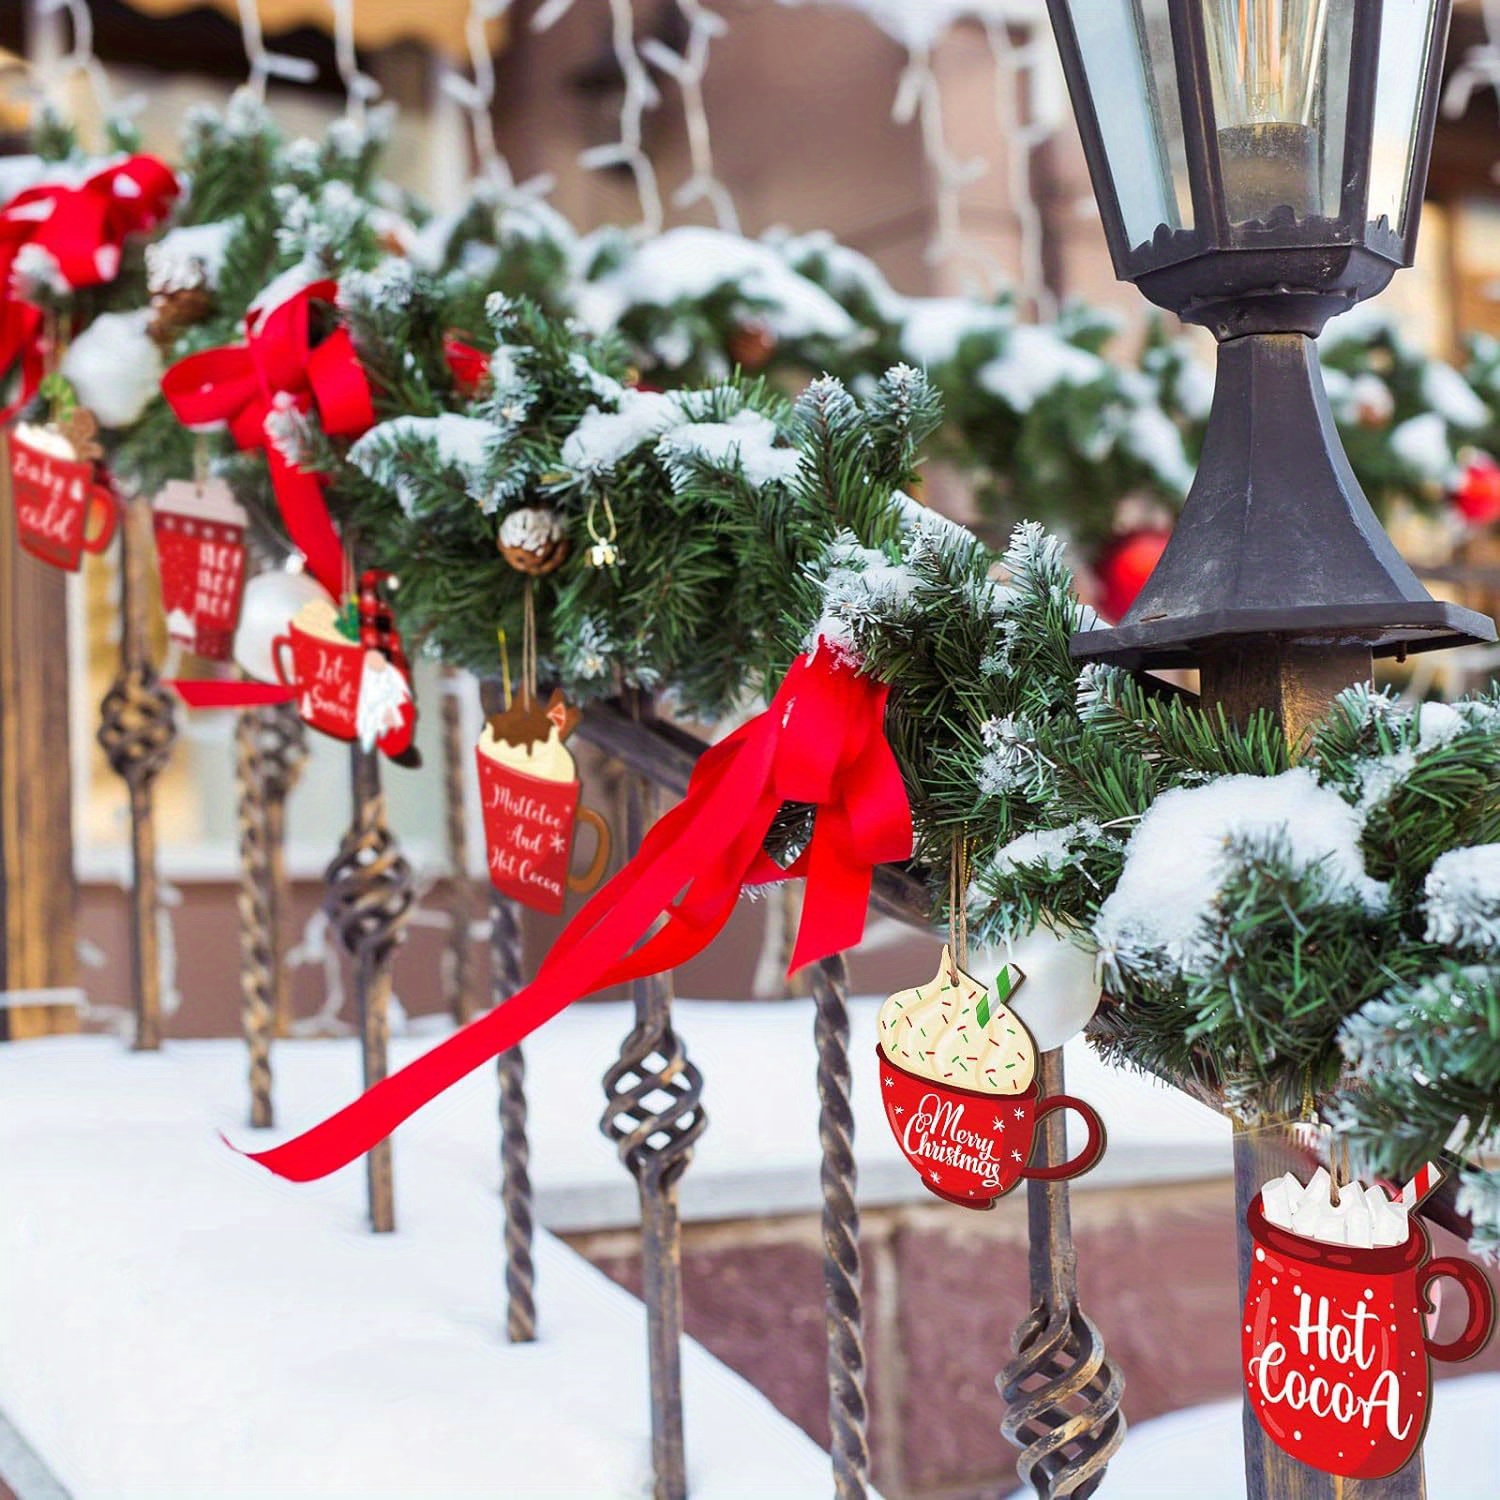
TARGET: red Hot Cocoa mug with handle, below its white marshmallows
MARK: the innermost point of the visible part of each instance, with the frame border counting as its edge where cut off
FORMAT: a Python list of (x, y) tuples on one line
[(1334, 1346)]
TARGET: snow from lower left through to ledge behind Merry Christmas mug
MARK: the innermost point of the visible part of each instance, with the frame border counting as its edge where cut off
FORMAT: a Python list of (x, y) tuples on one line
[(178, 1324)]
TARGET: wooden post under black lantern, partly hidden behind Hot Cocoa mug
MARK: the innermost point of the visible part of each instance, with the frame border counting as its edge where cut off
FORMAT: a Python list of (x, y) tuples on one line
[(1297, 685)]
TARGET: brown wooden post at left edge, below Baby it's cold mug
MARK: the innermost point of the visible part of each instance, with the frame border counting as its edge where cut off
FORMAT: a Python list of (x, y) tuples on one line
[(38, 968)]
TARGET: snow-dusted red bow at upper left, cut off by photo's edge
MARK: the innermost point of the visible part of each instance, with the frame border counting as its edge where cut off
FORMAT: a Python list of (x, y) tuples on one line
[(83, 230)]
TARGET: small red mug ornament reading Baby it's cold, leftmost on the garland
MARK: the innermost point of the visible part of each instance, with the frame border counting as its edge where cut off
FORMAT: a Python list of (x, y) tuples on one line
[(61, 508)]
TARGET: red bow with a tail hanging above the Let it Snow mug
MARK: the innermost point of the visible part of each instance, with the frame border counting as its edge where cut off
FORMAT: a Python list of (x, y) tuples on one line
[(280, 367)]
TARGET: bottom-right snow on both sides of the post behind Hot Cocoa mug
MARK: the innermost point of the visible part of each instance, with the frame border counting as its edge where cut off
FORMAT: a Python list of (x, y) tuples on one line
[(1195, 1454)]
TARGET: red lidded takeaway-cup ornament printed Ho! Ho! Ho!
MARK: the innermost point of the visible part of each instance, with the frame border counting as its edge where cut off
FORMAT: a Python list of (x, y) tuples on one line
[(200, 548)]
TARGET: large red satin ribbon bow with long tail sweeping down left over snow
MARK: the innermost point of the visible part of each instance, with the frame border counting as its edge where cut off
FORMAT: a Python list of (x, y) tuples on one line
[(821, 742)]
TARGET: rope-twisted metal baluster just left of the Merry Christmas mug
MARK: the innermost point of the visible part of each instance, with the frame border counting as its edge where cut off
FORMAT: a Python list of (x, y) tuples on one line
[(844, 1313)]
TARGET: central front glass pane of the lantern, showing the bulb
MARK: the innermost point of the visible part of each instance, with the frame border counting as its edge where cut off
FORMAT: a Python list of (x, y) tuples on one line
[(1280, 73)]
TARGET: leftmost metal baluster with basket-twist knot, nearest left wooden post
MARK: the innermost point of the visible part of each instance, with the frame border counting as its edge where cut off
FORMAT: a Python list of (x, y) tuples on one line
[(137, 731)]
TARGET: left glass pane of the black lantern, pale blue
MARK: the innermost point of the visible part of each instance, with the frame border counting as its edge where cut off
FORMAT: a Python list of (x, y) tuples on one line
[(1127, 58)]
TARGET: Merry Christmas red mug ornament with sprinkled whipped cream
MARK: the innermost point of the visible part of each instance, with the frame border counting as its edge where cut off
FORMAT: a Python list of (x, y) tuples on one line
[(959, 1087)]
